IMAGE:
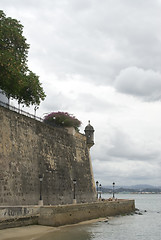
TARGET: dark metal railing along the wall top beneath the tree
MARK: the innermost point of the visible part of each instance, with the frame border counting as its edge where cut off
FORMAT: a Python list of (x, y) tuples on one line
[(20, 111)]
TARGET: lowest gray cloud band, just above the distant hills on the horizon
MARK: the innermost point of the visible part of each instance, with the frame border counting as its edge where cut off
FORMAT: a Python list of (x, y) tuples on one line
[(126, 173)]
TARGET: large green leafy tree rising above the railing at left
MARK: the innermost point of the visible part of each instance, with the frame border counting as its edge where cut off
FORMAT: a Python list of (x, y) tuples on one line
[(16, 80)]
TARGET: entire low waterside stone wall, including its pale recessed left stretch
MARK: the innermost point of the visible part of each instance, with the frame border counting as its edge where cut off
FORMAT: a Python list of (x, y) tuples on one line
[(62, 214)]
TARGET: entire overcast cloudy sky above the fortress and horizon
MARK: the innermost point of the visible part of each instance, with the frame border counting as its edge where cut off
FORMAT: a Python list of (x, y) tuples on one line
[(101, 61)]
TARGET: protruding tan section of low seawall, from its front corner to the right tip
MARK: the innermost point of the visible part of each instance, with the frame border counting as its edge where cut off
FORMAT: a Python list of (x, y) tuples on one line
[(70, 214)]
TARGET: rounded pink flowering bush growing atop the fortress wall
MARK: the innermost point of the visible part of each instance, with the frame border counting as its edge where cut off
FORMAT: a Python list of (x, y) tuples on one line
[(62, 119)]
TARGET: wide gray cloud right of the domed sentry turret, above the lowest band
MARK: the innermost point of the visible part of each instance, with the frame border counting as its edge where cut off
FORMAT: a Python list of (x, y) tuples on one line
[(120, 147)]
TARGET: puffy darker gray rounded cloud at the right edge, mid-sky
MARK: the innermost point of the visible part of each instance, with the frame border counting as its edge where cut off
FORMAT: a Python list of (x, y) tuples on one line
[(139, 82)]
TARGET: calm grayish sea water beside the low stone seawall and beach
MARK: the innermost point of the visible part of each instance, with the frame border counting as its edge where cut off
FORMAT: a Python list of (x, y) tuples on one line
[(144, 226)]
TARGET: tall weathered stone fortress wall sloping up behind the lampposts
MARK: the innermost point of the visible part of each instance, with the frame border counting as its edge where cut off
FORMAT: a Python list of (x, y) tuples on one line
[(29, 148)]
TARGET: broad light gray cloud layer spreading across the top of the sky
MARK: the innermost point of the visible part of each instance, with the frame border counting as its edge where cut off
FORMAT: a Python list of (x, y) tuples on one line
[(95, 40)]
